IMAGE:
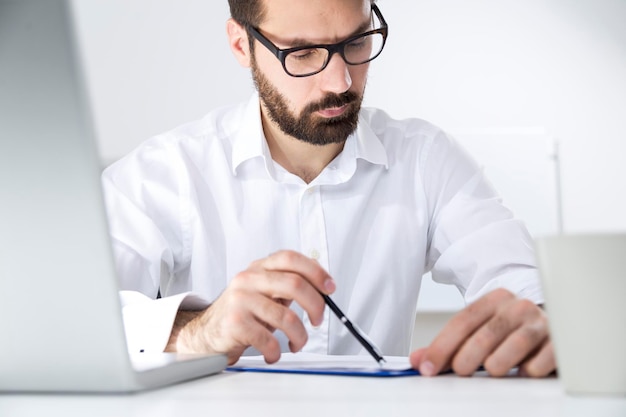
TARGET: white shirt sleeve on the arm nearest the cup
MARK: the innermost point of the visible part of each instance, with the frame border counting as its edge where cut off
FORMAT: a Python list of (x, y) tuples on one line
[(476, 243)]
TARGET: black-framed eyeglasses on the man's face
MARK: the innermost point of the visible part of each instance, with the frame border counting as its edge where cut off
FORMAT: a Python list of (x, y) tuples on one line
[(303, 61)]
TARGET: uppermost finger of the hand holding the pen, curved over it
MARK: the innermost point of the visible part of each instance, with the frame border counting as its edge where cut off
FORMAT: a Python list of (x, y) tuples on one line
[(297, 263)]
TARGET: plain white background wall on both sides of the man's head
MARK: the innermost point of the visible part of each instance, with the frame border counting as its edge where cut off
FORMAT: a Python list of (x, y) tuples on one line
[(557, 64)]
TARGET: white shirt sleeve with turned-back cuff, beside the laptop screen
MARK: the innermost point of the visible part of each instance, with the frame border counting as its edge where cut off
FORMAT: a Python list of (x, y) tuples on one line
[(142, 202)]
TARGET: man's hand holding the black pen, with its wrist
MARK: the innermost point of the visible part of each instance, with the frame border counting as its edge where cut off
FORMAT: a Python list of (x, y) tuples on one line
[(255, 303)]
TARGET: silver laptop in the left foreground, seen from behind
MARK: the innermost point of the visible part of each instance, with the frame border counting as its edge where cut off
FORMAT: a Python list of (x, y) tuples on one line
[(60, 315)]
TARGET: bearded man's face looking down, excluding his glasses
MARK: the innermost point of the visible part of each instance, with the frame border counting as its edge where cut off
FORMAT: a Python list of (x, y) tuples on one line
[(322, 108)]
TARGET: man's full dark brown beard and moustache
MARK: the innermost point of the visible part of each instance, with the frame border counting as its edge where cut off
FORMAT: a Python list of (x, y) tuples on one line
[(307, 126)]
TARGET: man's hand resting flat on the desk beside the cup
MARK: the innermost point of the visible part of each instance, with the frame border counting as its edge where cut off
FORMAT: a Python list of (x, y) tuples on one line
[(498, 331)]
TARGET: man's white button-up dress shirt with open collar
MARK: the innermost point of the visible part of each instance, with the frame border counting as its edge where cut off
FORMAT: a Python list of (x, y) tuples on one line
[(191, 208)]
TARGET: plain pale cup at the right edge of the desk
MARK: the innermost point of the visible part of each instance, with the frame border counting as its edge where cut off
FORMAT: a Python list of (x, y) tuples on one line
[(584, 282)]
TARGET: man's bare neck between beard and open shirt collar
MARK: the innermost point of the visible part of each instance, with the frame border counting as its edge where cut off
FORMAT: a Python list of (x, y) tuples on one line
[(298, 157)]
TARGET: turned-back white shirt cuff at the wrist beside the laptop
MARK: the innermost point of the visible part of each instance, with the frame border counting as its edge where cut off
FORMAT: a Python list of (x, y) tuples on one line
[(148, 323)]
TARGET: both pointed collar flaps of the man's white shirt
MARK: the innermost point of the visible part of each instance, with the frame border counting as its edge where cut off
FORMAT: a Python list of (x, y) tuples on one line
[(249, 142)]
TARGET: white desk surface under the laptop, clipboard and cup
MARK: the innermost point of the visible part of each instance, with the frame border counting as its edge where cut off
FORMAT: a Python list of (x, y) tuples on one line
[(259, 394)]
